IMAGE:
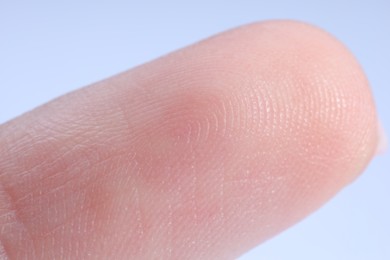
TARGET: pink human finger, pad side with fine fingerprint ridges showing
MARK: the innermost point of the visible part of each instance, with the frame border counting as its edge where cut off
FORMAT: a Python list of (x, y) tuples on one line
[(201, 154)]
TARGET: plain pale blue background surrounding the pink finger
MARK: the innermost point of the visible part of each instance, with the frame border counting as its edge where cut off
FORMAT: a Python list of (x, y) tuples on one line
[(49, 48)]
